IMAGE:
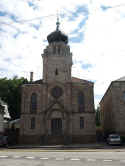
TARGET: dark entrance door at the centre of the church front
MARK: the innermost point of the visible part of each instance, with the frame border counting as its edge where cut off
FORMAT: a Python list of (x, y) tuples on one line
[(56, 126)]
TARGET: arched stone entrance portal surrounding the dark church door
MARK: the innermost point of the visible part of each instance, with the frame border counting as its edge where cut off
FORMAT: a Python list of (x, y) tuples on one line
[(57, 124)]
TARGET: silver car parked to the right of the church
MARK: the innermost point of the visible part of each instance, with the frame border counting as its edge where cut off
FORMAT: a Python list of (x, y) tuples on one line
[(114, 139)]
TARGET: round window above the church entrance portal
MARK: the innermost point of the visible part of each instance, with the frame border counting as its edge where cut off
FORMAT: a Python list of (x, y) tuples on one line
[(56, 92)]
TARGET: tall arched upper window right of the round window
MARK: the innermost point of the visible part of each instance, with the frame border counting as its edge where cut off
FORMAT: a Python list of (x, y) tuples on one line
[(81, 102)]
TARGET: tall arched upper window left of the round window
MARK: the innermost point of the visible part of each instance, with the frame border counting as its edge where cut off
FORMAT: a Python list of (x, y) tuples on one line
[(33, 103)]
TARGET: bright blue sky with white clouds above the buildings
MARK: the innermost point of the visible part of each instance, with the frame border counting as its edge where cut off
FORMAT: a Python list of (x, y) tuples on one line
[(96, 31)]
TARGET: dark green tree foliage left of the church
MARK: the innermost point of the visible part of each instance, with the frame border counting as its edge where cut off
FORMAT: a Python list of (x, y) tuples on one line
[(10, 92)]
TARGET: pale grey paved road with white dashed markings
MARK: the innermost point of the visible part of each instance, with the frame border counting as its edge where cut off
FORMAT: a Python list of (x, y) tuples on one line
[(64, 158)]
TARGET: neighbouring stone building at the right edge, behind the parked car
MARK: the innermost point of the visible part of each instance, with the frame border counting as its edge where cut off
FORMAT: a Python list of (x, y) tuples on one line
[(112, 107)]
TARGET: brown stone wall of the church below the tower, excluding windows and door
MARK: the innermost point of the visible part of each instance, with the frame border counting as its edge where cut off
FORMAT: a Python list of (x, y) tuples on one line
[(67, 104)]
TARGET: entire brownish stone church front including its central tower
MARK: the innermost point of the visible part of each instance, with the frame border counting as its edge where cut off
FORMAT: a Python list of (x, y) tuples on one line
[(64, 105)]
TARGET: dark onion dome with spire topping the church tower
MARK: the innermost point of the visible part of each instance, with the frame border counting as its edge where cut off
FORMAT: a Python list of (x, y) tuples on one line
[(57, 36)]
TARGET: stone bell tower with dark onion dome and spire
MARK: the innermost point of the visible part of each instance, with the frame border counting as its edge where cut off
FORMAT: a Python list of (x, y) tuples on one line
[(57, 58)]
